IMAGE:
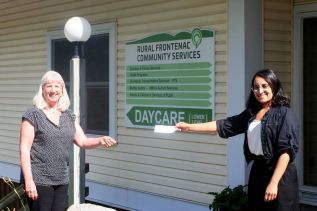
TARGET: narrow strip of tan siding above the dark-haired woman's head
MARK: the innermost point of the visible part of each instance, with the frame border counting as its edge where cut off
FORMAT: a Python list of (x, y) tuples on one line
[(278, 39)]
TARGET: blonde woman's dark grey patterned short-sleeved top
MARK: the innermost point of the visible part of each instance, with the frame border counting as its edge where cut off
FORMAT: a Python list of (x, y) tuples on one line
[(50, 148)]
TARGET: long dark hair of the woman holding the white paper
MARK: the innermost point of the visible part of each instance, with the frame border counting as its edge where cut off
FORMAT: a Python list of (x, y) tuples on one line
[(279, 97)]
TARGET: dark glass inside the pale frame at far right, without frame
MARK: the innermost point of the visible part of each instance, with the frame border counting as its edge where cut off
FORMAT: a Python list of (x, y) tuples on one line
[(310, 100)]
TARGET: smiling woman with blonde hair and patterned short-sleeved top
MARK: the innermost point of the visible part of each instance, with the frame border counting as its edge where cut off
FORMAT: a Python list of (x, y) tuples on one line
[(47, 131)]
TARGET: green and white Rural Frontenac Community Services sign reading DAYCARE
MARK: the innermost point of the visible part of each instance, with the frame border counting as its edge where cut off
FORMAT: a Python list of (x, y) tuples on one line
[(170, 78)]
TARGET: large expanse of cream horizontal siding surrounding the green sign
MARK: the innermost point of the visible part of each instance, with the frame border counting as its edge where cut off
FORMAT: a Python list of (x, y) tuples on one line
[(183, 166)]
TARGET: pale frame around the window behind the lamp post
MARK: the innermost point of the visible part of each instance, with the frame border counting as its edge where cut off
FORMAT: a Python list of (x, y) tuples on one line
[(109, 28)]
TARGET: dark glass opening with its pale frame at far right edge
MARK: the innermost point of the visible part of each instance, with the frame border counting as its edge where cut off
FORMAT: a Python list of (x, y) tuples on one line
[(304, 99)]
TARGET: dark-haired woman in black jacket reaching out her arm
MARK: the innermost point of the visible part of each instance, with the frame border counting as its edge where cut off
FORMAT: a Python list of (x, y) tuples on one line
[(271, 142)]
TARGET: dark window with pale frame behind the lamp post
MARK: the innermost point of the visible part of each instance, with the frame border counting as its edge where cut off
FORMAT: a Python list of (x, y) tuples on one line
[(98, 52)]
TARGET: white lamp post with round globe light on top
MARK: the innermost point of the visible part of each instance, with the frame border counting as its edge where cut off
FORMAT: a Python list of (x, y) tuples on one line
[(77, 30)]
